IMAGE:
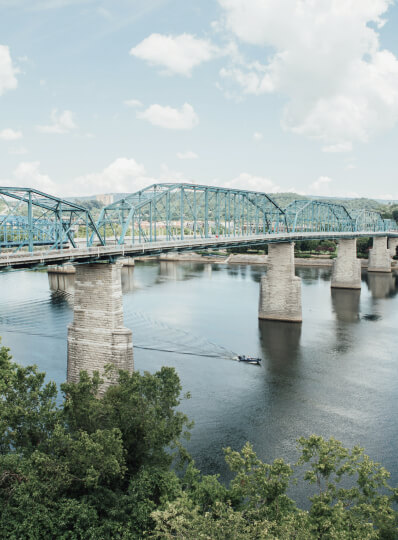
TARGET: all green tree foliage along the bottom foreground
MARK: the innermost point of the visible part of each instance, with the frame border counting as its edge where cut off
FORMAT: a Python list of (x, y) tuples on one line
[(104, 467)]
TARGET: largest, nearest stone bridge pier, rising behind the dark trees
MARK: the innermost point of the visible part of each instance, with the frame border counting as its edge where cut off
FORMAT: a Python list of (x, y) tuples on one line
[(97, 336)]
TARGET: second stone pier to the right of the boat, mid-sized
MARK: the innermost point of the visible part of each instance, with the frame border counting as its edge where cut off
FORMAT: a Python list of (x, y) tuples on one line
[(346, 272)]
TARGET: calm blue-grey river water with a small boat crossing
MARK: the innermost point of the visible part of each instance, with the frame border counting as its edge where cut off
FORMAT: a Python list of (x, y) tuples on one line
[(334, 375)]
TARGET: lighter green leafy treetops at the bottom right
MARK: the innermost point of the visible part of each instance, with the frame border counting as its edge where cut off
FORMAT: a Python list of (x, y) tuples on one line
[(352, 501)]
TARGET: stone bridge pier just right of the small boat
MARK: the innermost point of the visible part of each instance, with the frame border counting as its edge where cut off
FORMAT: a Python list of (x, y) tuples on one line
[(280, 289)]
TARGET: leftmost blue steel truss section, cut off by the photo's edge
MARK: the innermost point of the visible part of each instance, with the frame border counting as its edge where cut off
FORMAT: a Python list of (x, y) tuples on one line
[(32, 218)]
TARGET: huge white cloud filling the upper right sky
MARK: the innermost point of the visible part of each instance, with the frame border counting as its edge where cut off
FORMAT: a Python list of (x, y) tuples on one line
[(327, 60)]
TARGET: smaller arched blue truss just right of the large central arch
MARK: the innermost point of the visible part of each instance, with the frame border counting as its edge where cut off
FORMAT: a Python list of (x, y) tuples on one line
[(317, 216)]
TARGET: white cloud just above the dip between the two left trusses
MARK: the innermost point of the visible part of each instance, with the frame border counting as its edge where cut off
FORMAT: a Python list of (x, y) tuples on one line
[(122, 175)]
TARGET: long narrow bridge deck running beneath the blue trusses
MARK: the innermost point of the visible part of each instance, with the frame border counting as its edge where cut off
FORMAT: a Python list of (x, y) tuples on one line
[(21, 260)]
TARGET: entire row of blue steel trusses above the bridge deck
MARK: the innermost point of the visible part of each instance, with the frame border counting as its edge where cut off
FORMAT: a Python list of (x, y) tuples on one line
[(30, 218)]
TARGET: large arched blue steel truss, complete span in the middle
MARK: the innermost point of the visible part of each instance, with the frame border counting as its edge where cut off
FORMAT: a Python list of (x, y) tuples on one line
[(172, 211)]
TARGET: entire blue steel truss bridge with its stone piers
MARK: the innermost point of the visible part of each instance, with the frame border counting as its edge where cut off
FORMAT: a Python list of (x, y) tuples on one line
[(37, 229)]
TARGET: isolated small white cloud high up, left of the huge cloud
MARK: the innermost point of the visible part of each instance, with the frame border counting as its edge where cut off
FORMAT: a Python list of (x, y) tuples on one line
[(177, 54)]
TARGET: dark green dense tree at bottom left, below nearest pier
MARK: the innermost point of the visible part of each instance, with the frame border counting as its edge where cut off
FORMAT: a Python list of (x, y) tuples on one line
[(91, 467)]
